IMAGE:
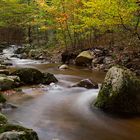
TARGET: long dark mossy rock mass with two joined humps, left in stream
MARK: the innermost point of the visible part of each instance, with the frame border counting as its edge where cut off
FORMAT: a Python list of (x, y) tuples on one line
[(34, 76)]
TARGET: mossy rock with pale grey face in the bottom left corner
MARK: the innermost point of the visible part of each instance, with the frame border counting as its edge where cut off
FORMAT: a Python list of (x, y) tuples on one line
[(16, 132)]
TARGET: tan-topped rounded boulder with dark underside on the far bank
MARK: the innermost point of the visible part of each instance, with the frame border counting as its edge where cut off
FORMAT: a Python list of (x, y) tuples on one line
[(84, 58)]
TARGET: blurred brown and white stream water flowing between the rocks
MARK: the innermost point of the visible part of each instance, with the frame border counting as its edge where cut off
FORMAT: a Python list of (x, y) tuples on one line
[(58, 112)]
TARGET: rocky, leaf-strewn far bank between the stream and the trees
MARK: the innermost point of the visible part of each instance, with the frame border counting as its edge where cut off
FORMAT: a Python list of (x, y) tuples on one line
[(101, 58)]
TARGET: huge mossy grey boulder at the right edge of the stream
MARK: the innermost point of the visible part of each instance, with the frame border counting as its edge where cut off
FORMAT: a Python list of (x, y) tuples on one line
[(120, 92)]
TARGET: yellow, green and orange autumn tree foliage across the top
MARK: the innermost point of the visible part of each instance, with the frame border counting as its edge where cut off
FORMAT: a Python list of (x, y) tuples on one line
[(71, 21)]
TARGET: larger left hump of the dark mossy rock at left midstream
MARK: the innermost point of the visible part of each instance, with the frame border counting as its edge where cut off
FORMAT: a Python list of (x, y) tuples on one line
[(29, 75)]
